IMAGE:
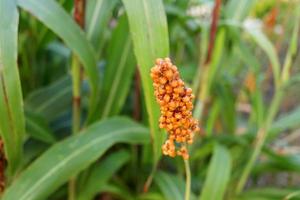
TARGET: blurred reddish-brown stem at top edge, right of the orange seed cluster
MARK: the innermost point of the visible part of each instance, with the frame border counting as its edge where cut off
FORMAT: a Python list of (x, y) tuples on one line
[(213, 30)]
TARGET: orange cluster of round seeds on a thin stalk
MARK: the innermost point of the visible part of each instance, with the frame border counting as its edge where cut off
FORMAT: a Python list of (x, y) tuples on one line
[(176, 106)]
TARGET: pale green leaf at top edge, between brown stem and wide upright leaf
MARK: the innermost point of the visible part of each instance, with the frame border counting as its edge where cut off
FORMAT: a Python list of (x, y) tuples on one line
[(98, 14)]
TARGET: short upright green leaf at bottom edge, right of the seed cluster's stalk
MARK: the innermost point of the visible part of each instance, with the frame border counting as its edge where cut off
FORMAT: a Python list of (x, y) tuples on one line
[(218, 175)]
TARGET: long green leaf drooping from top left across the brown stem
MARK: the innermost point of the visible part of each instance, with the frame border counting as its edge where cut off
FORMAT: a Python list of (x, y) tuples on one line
[(50, 13)]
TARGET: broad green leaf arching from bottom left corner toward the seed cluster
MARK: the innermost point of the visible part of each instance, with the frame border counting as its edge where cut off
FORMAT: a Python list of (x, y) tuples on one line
[(69, 157)]
